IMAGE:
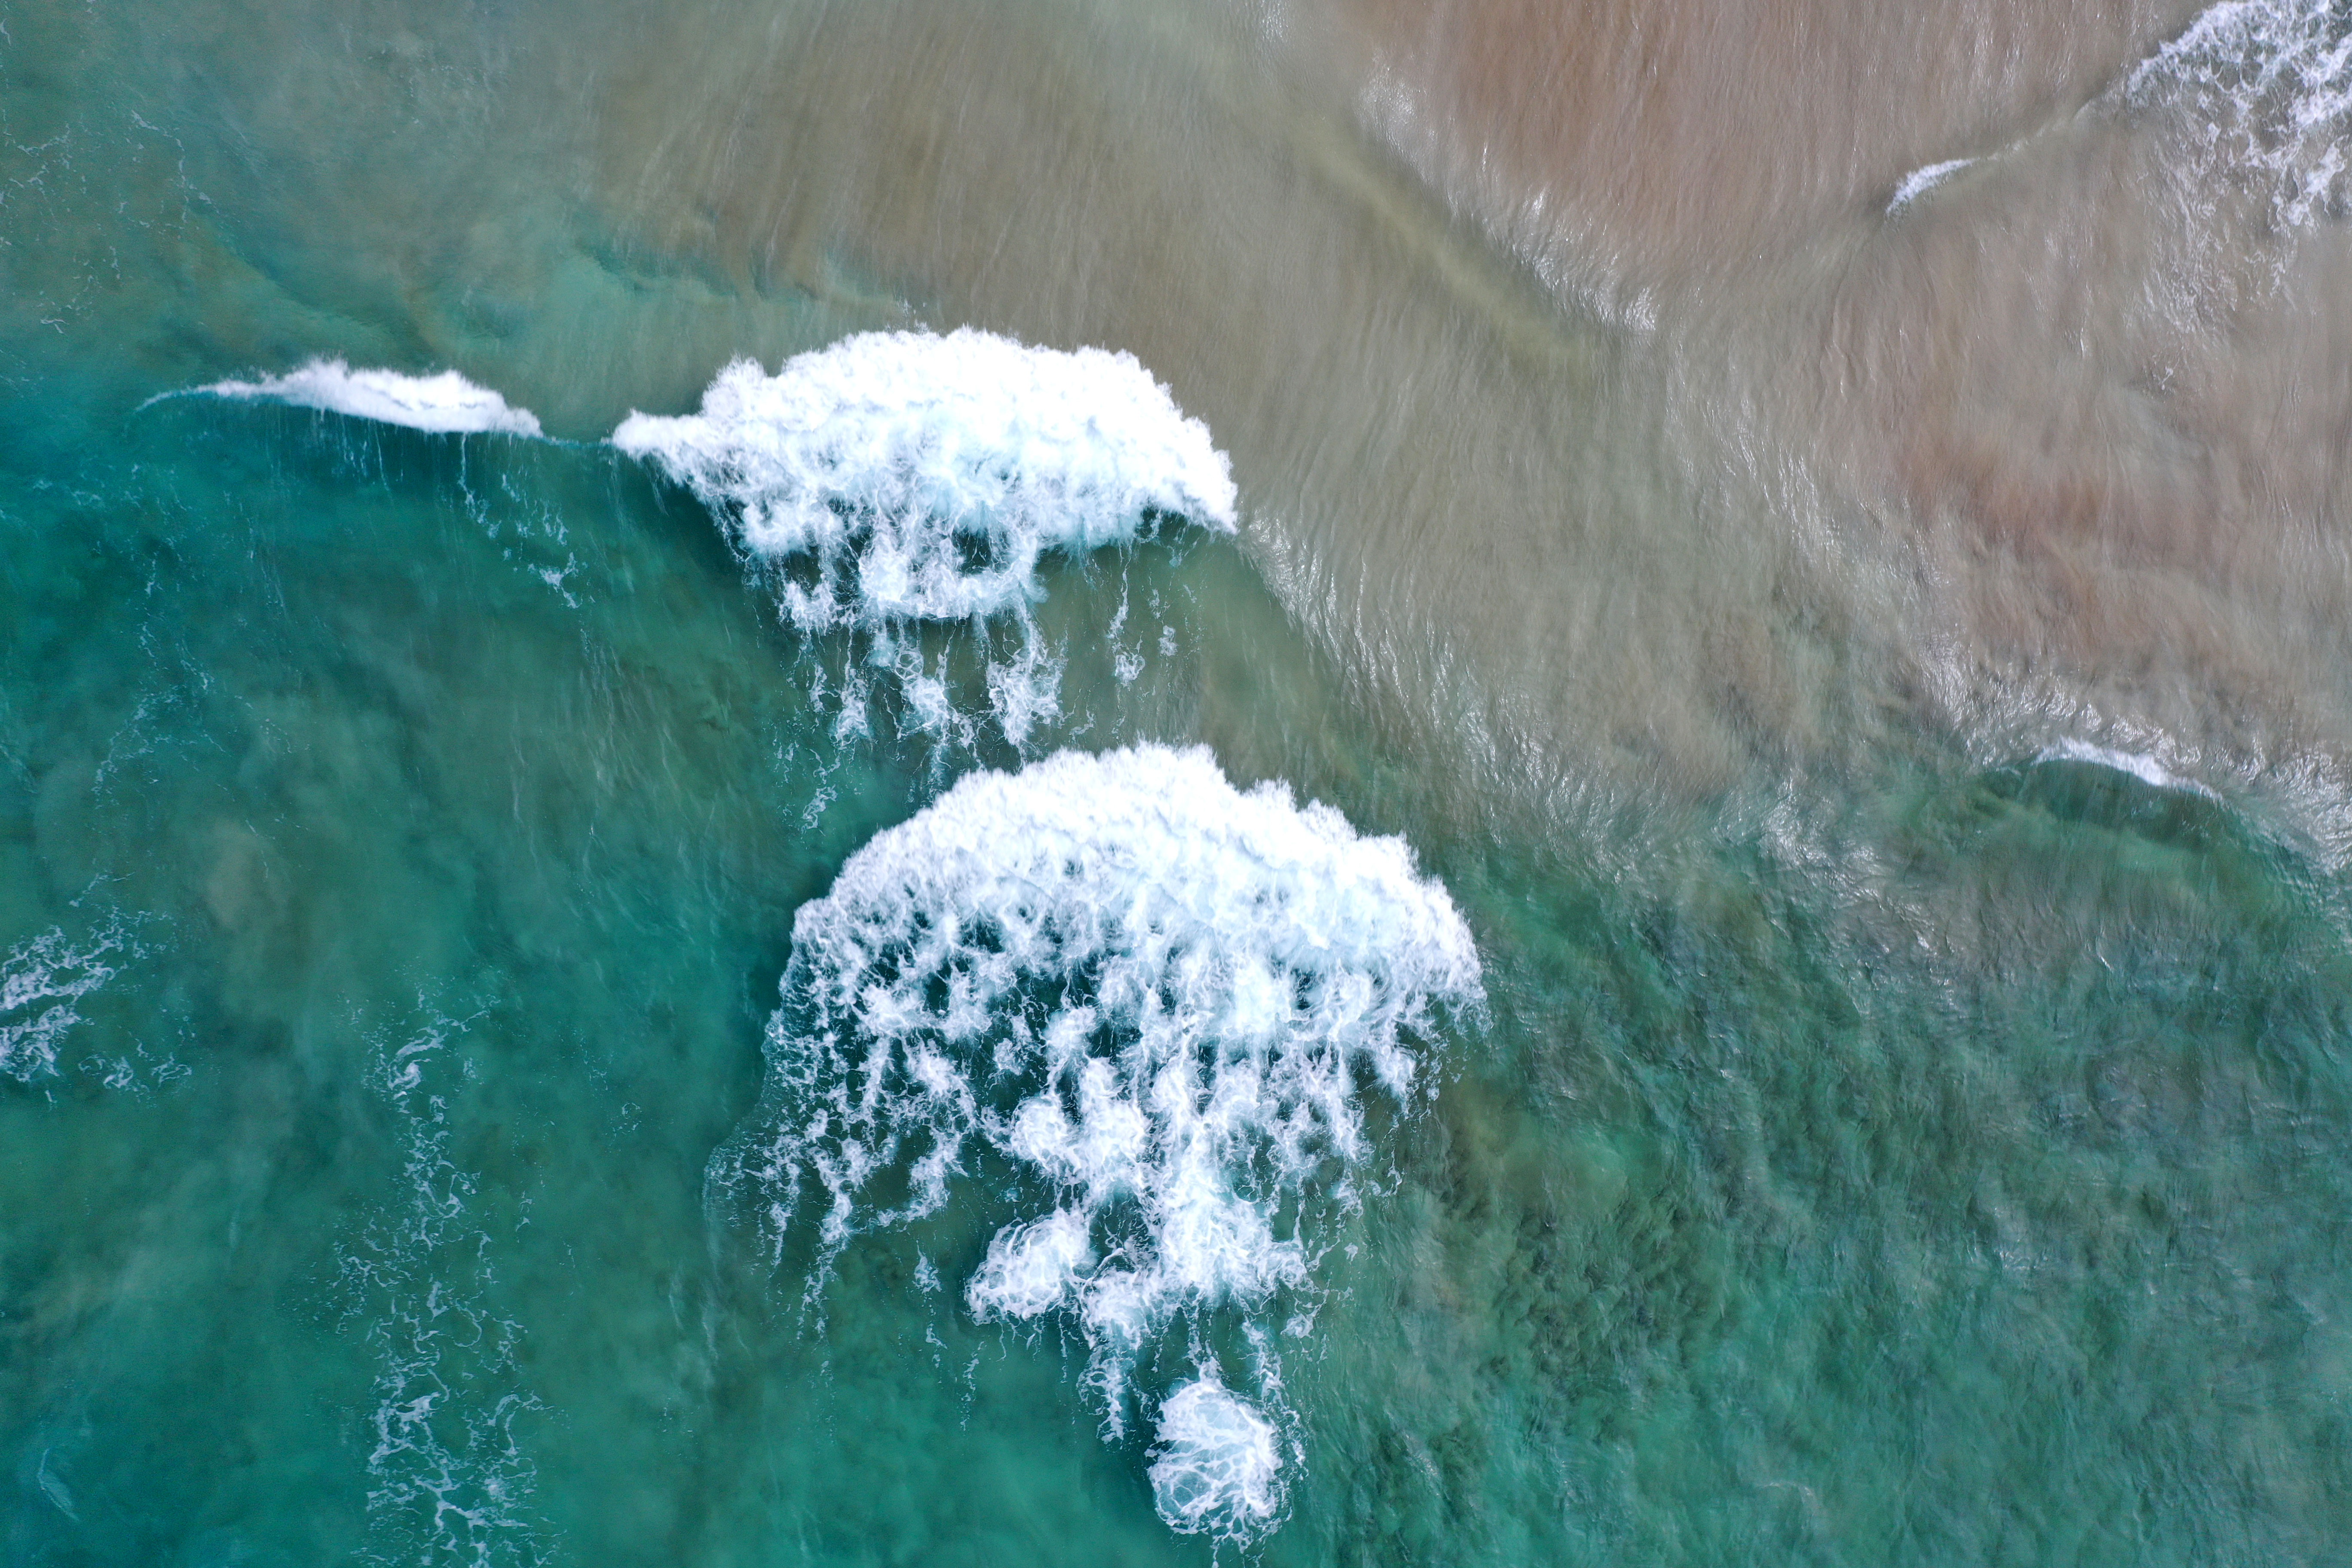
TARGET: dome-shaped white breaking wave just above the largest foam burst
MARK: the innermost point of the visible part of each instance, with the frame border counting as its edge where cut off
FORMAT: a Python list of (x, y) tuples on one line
[(926, 476)]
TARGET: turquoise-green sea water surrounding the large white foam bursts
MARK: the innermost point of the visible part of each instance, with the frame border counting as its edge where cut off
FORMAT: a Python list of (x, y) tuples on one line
[(1935, 1160)]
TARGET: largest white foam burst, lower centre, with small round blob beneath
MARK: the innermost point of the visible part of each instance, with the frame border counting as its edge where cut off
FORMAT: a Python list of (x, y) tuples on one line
[(1154, 996)]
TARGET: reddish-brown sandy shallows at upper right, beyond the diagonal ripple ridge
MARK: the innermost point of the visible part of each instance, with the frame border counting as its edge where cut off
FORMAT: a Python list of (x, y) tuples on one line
[(2087, 398)]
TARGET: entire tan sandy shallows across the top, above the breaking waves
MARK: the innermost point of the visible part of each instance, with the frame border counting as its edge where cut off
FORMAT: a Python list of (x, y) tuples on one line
[(1584, 391)]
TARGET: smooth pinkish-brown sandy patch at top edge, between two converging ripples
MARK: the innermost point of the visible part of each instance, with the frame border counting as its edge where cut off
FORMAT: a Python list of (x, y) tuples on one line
[(1683, 145)]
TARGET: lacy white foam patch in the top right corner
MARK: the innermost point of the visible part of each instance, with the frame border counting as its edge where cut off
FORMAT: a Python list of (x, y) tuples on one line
[(2269, 88)]
